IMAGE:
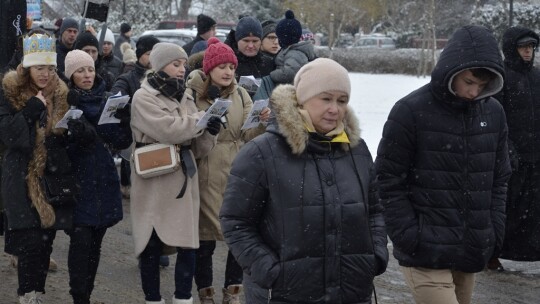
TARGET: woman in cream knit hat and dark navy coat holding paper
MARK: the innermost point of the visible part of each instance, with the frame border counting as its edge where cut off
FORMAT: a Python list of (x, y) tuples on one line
[(99, 203)]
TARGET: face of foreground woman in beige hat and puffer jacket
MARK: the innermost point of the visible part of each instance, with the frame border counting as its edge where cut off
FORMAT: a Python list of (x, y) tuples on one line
[(326, 110)]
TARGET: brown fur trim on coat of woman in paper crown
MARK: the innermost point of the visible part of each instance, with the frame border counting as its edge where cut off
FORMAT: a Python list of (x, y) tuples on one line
[(18, 96)]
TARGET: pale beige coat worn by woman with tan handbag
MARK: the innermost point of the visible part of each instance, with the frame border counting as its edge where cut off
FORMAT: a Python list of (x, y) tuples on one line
[(156, 118)]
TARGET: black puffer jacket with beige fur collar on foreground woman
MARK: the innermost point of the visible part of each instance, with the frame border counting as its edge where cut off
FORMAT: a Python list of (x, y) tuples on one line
[(299, 215)]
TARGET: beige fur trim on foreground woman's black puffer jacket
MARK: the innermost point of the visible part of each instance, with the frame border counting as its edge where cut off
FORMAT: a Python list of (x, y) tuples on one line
[(289, 120)]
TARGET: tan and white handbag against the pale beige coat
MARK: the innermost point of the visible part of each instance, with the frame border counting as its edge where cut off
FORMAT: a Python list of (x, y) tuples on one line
[(156, 159)]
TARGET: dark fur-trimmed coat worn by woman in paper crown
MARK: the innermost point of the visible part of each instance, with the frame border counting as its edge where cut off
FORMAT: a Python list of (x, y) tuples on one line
[(25, 156)]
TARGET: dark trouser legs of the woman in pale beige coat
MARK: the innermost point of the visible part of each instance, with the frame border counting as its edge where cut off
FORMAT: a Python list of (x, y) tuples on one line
[(183, 272)]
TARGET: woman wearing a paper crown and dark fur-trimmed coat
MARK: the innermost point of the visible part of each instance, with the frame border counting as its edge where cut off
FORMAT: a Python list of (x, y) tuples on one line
[(32, 101)]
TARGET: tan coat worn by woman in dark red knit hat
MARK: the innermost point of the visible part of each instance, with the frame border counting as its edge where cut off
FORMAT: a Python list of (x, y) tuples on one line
[(214, 168)]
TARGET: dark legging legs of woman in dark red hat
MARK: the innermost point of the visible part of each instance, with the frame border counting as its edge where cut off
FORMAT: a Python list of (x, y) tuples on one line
[(204, 271)]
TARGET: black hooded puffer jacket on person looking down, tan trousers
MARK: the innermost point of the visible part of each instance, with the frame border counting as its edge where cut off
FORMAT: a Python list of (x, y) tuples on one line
[(443, 164)]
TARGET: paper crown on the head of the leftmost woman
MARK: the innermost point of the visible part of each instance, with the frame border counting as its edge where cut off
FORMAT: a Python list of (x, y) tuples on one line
[(39, 49)]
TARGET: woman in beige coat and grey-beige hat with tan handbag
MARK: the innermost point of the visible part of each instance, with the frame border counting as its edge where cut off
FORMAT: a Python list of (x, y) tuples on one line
[(162, 213)]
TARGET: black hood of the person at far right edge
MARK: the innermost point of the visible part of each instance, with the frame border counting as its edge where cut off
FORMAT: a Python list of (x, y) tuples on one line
[(511, 56)]
